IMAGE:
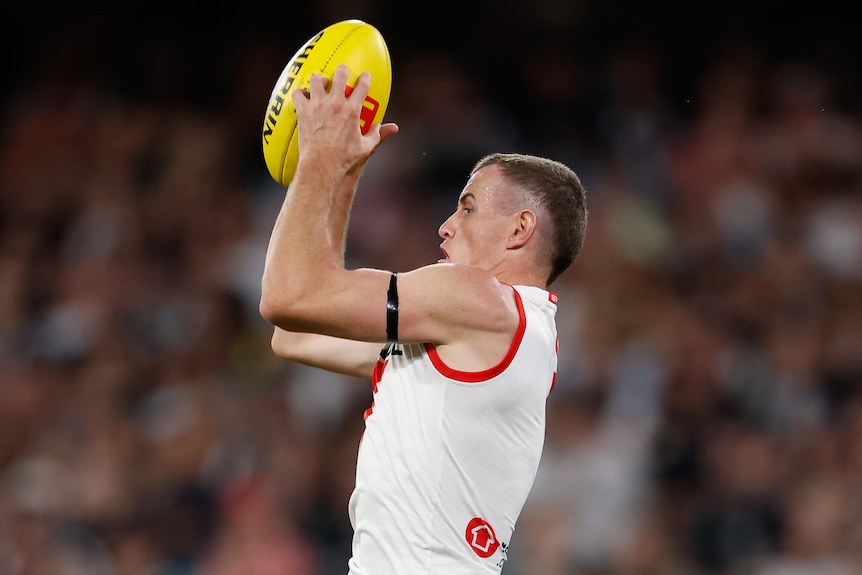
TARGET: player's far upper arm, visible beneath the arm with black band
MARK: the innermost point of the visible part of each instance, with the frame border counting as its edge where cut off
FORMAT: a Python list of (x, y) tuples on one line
[(348, 357)]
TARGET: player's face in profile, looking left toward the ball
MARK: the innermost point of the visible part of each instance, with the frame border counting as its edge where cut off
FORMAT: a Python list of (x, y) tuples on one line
[(476, 233)]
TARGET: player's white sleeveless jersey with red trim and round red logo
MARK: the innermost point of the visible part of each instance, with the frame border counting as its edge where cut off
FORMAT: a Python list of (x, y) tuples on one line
[(448, 457)]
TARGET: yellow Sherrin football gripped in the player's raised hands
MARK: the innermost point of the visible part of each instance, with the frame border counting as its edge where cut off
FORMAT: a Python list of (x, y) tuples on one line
[(355, 43)]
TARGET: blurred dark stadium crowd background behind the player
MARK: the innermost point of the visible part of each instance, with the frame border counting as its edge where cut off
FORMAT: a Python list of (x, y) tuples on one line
[(707, 418)]
